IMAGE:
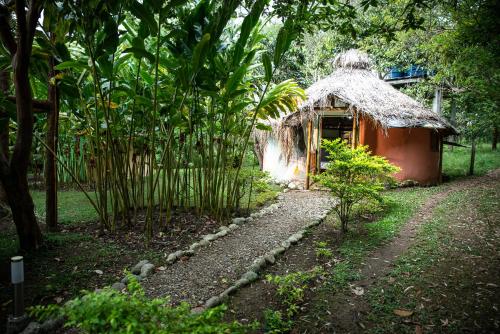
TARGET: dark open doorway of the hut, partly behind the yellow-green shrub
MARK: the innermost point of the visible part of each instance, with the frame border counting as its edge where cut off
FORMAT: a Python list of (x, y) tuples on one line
[(333, 127)]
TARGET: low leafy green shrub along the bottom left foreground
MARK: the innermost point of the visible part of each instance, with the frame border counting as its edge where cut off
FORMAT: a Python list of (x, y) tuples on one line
[(111, 311)]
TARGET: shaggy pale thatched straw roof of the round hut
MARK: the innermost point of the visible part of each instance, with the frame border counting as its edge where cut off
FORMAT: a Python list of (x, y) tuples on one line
[(354, 83)]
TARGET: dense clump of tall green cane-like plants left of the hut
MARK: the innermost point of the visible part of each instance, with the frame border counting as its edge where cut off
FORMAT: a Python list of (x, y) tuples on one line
[(162, 100)]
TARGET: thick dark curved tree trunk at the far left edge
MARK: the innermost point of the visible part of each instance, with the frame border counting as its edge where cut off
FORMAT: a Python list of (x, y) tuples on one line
[(18, 42)]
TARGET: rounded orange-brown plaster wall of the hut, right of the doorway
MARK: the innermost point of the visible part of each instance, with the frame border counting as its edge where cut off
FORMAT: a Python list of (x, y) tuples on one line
[(407, 148)]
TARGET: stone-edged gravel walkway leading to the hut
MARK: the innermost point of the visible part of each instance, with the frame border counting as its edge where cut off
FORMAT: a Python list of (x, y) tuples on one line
[(216, 266)]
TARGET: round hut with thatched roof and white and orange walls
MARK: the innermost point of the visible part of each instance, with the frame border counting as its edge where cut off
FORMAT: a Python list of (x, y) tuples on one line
[(354, 104)]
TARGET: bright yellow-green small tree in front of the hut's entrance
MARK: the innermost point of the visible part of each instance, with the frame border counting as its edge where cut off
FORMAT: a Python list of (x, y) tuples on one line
[(353, 176)]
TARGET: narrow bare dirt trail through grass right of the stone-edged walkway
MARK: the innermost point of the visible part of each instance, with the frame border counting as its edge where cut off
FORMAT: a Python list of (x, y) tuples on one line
[(348, 307)]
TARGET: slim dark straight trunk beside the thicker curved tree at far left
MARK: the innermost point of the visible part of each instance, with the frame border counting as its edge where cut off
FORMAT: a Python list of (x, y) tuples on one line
[(50, 162)]
